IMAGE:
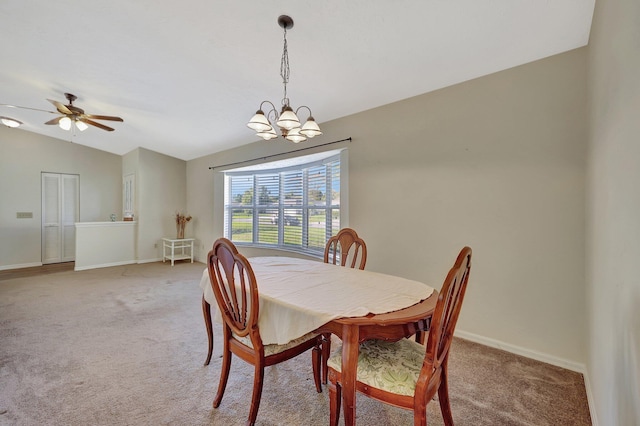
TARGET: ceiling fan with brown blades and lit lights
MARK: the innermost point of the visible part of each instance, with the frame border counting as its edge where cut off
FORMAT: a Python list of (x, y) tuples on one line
[(70, 114)]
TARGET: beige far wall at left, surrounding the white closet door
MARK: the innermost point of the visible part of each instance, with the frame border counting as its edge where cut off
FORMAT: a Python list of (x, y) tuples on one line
[(23, 156)]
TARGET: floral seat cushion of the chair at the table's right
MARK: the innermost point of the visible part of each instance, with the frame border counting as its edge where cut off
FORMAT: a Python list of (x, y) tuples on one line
[(389, 366)]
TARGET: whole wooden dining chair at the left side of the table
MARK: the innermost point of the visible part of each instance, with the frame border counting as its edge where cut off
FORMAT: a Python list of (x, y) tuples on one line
[(236, 291)]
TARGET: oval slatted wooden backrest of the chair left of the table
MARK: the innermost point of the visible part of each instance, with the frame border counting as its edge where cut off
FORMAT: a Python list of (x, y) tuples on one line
[(235, 287)]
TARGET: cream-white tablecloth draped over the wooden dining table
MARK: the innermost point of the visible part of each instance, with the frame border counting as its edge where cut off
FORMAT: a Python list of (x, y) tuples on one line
[(297, 296)]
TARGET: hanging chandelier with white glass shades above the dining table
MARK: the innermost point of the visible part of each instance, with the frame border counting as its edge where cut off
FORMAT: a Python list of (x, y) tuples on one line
[(287, 120)]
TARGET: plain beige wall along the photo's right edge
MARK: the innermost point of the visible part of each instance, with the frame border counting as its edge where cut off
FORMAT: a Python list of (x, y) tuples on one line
[(613, 226)]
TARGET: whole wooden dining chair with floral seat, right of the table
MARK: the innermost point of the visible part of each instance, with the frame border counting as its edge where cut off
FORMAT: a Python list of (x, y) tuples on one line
[(404, 373)]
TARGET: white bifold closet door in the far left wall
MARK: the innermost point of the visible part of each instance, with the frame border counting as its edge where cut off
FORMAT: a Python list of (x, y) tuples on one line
[(60, 212)]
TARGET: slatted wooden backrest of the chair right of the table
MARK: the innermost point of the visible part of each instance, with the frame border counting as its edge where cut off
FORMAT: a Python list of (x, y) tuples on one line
[(444, 319)]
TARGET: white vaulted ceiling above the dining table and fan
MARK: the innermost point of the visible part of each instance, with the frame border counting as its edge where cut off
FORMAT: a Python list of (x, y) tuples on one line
[(187, 76)]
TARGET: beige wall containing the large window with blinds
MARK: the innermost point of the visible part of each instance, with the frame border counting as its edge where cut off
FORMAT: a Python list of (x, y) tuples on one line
[(496, 163)]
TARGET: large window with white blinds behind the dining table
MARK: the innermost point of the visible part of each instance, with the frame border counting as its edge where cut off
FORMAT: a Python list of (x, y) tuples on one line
[(291, 204)]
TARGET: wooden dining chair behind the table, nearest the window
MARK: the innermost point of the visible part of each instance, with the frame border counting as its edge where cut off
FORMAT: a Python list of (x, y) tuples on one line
[(345, 248)]
